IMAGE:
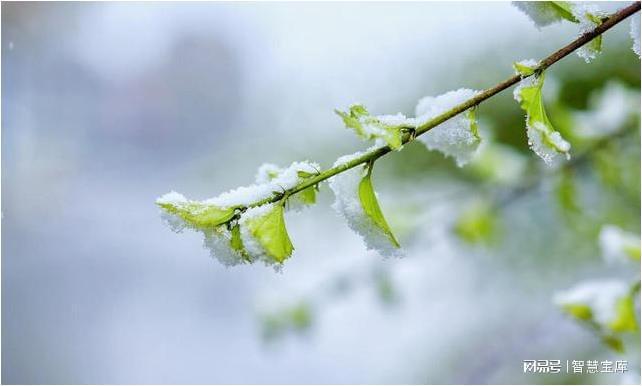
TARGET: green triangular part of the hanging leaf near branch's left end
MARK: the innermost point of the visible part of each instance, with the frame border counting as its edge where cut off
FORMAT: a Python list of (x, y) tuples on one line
[(270, 231)]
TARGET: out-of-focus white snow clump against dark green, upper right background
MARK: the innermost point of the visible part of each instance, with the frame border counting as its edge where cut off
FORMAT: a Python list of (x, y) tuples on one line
[(610, 109)]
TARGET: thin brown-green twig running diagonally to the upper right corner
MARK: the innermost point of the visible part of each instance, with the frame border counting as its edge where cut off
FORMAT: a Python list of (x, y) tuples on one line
[(476, 100)]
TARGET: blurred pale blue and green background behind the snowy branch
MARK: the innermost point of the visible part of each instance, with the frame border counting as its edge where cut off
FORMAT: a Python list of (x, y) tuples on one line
[(106, 106)]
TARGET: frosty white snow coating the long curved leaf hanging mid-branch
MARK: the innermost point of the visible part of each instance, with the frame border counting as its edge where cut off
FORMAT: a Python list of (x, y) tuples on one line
[(347, 203)]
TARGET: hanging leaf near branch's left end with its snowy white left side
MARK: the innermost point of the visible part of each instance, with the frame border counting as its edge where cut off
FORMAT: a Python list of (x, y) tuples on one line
[(264, 234)]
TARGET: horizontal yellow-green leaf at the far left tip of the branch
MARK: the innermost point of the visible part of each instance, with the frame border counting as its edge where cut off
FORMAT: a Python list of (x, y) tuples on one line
[(199, 215)]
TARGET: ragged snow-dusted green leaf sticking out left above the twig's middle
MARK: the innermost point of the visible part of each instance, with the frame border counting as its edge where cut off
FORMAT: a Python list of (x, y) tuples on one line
[(382, 128)]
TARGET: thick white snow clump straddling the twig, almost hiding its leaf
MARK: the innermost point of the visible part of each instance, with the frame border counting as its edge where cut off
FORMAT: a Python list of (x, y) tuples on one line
[(458, 136)]
